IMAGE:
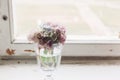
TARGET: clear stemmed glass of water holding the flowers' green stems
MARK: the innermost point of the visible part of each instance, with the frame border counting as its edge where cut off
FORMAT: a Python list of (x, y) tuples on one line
[(49, 59)]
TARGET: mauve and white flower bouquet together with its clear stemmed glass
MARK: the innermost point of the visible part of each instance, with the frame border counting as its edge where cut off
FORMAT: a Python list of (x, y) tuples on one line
[(49, 38)]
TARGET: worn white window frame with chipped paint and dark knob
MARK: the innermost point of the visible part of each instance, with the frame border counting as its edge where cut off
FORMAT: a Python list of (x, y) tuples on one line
[(71, 48)]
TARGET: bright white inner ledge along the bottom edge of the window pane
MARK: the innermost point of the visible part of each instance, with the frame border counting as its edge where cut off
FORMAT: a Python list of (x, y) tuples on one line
[(79, 39)]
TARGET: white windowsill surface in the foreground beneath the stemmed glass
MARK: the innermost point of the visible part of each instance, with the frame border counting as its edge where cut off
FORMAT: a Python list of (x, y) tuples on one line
[(64, 72)]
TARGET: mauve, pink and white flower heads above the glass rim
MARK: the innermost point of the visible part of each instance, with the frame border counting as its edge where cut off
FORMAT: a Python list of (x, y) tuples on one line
[(48, 35)]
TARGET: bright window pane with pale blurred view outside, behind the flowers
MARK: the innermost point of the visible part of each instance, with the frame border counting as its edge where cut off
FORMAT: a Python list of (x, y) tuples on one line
[(86, 18)]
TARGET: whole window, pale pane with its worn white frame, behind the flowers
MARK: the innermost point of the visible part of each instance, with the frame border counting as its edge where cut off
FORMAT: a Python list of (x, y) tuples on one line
[(92, 25)]
